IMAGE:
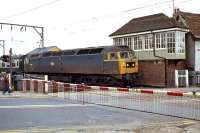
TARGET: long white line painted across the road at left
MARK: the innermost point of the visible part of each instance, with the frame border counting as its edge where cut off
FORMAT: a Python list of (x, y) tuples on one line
[(42, 106)]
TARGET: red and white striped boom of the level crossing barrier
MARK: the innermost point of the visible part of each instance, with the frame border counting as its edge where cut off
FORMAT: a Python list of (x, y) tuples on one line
[(39, 86)]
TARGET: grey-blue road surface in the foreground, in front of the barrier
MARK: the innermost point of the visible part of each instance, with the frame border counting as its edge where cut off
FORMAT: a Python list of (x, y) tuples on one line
[(28, 112)]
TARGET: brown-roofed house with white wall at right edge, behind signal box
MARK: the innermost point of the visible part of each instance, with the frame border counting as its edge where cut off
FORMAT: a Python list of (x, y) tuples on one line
[(192, 22)]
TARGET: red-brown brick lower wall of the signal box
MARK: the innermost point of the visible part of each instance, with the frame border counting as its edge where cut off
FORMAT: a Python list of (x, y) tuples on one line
[(152, 72)]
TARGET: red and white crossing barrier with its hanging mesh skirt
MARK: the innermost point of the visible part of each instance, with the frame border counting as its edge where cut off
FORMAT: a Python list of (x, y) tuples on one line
[(163, 102)]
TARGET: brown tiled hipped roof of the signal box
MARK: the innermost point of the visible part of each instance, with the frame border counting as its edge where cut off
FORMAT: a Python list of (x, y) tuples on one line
[(148, 23)]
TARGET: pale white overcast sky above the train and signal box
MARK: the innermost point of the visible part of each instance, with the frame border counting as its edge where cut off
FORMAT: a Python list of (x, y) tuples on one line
[(72, 24)]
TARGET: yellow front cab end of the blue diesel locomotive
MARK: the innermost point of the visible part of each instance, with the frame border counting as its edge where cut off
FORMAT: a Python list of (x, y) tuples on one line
[(123, 64)]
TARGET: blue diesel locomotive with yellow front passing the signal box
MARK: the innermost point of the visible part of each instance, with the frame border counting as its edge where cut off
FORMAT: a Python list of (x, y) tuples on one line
[(105, 65)]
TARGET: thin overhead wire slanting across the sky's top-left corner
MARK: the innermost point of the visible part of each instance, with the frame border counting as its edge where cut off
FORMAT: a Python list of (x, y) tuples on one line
[(30, 10)]
